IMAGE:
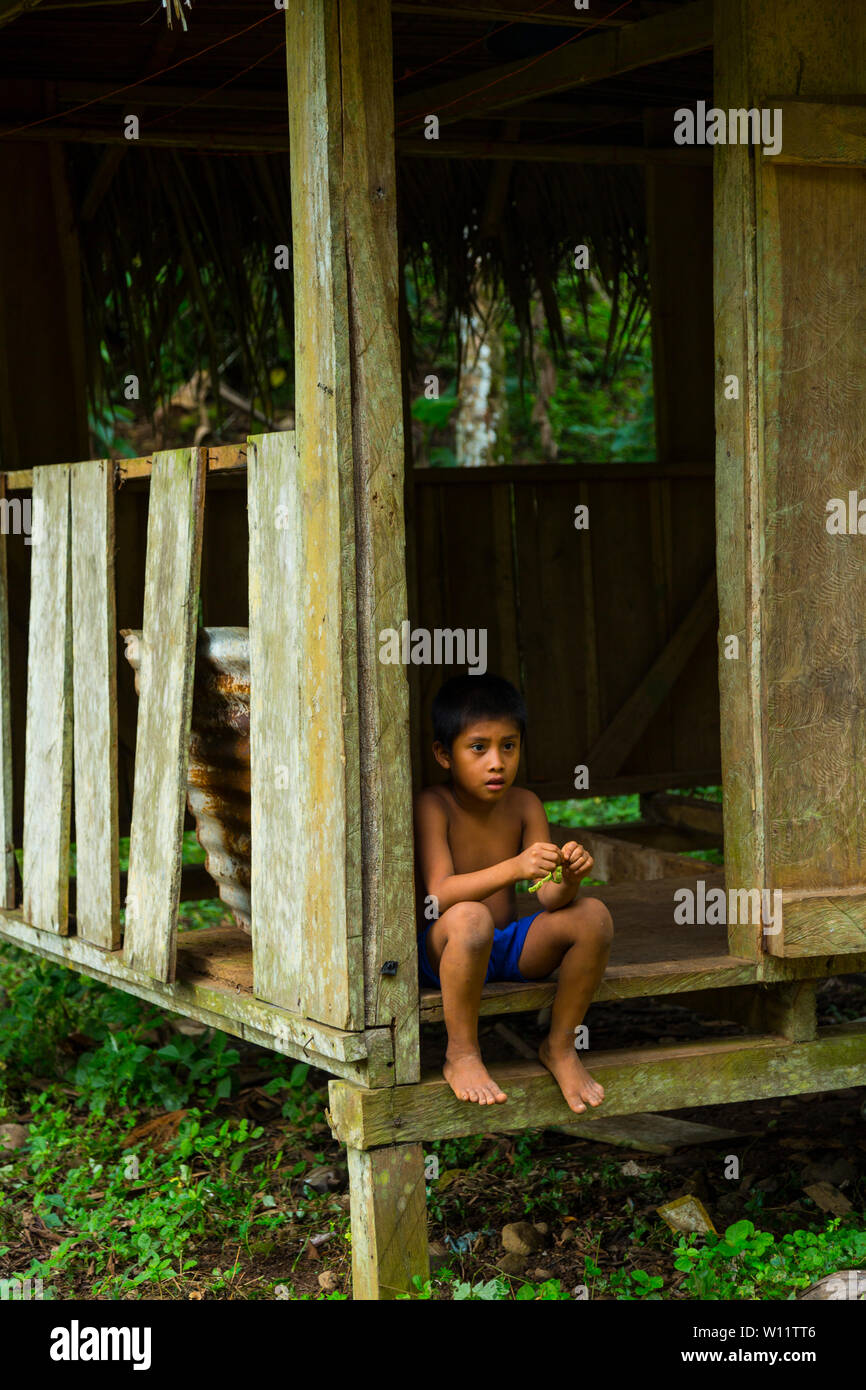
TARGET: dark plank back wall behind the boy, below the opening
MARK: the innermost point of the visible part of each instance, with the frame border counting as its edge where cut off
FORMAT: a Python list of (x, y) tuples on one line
[(611, 632)]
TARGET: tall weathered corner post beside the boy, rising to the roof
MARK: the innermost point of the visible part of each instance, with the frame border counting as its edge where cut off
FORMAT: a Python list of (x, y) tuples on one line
[(351, 450)]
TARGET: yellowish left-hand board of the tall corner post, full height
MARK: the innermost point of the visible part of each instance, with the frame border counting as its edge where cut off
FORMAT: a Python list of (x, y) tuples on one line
[(326, 626)]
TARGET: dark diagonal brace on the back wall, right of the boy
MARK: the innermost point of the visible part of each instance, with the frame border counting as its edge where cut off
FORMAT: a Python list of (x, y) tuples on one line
[(611, 751)]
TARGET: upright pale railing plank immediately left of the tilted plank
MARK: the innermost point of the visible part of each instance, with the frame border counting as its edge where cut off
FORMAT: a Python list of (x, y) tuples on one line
[(95, 703)]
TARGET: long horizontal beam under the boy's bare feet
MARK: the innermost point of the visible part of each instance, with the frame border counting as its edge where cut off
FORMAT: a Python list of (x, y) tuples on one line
[(636, 1079)]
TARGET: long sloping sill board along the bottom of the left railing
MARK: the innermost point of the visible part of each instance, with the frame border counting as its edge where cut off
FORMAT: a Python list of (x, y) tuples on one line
[(362, 1057)]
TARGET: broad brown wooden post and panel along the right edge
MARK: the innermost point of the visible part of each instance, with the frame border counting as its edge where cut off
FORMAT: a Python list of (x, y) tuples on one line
[(790, 297)]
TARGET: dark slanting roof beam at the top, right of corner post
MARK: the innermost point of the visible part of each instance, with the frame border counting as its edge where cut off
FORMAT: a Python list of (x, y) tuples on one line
[(597, 59)]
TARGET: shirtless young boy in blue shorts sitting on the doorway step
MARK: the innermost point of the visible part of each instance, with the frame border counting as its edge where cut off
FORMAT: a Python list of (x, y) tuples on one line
[(476, 839)]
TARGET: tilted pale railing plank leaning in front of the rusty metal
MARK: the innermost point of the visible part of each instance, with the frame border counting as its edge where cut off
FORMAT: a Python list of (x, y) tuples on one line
[(162, 755)]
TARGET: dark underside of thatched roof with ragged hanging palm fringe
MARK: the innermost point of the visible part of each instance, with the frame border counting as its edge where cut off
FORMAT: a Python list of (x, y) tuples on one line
[(166, 226)]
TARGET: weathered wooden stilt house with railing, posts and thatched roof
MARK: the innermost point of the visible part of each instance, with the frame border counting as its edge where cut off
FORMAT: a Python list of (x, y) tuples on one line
[(721, 614)]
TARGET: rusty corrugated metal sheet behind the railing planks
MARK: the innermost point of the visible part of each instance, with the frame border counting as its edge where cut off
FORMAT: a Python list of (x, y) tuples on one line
[(219, 779)]
